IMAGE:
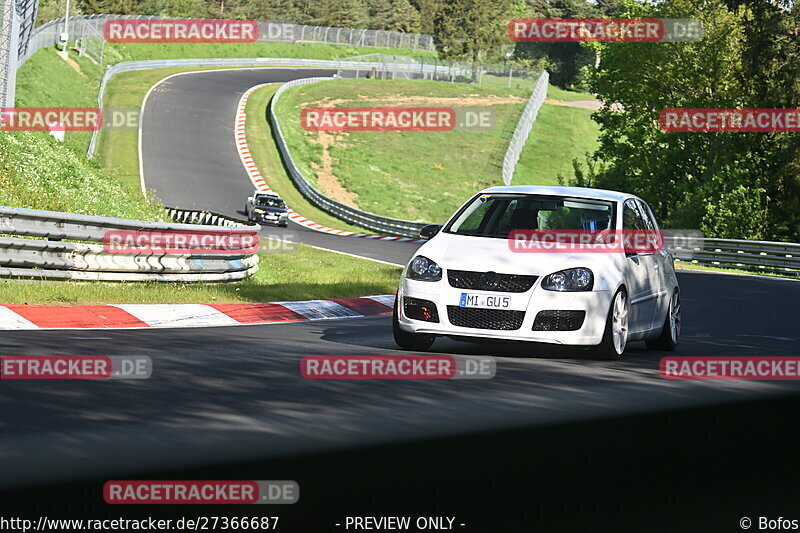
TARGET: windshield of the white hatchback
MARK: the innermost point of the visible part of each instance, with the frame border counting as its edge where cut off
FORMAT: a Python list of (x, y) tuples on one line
[(497, 215)]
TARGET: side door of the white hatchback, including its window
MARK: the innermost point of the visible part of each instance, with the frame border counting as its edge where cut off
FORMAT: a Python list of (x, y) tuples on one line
[(642, 273)]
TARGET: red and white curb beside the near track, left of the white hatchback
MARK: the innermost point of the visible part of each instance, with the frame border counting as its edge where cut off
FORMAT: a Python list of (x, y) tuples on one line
[(132, 316)]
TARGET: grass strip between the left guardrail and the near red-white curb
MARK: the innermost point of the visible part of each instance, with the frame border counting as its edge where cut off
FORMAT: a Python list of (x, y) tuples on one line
[(280, 277)]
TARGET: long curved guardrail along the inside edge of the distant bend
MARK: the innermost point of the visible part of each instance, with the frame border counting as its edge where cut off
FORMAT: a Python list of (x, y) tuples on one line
[(371, 221)]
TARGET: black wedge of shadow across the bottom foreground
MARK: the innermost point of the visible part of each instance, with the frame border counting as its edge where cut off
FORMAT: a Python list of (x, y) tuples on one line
[(693, 470)]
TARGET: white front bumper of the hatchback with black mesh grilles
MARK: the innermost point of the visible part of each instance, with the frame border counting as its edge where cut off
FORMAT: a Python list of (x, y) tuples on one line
[(595, 304)]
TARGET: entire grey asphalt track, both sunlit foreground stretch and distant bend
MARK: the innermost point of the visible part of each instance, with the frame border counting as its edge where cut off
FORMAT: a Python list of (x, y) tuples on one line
[(219, 395)]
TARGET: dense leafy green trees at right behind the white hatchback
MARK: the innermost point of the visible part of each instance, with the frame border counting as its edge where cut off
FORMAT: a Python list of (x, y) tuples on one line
[(741, 185)]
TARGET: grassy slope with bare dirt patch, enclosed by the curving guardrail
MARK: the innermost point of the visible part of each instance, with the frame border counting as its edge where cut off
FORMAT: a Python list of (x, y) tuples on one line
[(414, 175)]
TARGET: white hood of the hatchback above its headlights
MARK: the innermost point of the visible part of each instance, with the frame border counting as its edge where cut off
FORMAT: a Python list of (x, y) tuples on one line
[(483, 254)]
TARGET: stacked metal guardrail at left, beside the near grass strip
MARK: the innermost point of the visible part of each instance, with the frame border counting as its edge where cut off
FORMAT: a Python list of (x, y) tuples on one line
[(49, 257)]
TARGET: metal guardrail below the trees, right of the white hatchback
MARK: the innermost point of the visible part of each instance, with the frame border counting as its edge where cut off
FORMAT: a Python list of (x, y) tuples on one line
[(772, 256)]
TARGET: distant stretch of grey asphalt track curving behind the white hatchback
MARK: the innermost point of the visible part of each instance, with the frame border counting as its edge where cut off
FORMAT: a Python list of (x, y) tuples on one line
[(190, 157)]
